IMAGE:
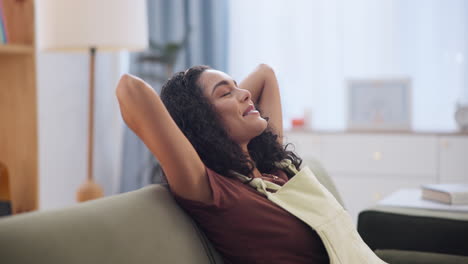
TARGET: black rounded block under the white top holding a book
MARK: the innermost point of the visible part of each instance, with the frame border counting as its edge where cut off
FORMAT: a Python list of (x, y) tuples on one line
[(384, 227)]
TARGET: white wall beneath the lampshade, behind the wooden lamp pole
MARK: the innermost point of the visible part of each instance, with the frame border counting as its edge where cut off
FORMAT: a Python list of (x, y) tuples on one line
[(62, 81)]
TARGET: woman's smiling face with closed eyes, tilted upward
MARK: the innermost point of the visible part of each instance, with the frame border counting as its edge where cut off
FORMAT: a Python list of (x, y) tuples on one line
[(234, 105)]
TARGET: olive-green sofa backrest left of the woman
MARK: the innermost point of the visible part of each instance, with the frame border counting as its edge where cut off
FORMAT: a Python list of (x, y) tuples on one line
[(143, 226)]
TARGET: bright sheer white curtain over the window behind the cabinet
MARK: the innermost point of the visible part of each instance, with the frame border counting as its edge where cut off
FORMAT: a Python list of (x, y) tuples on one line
[(316, 46)]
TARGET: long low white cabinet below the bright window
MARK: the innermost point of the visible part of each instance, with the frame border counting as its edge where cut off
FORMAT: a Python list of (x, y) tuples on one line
[(369, 166)]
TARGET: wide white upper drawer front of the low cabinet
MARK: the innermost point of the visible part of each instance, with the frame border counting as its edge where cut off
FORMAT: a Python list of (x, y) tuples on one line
[(368, 154)]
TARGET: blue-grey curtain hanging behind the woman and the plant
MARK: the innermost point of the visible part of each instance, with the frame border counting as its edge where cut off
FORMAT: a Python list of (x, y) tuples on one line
[(169, 20)]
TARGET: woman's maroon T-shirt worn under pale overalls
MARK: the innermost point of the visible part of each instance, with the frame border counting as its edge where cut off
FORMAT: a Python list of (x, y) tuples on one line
[(245, 227)]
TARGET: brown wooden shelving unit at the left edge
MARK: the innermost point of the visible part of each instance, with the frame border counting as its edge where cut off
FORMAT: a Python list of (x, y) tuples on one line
[(18, 107)]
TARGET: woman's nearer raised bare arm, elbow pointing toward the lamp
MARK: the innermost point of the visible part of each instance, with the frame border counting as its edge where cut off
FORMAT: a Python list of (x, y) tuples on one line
[(144, 112)]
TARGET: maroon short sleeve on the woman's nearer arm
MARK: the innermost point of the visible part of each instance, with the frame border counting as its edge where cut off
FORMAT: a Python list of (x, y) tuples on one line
[(223, 190)]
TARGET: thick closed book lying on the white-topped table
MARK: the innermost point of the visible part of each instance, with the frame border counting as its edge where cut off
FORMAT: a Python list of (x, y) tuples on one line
[(455, 194)]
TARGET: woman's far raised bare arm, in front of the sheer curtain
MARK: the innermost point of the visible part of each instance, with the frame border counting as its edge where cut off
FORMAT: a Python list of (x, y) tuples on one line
[(263, 86)]
